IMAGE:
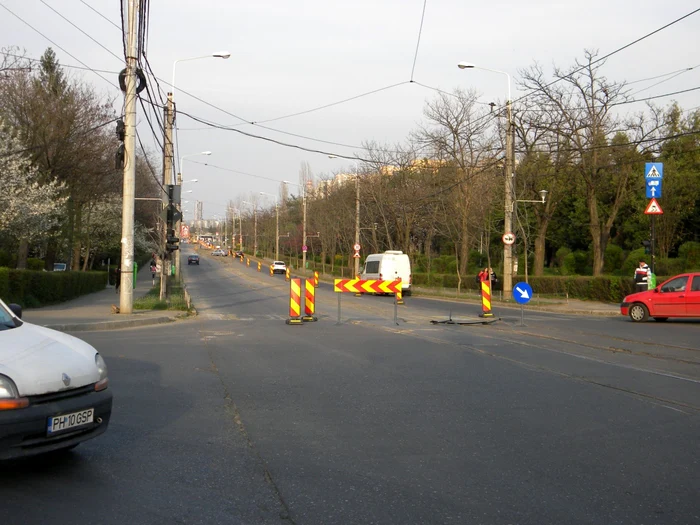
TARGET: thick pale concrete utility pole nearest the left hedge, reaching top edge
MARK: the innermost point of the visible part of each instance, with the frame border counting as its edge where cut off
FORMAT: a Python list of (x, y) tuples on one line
[(126, 290)]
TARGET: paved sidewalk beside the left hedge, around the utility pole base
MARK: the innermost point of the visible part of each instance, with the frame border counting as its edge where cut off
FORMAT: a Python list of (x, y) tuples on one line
[(94, 311)]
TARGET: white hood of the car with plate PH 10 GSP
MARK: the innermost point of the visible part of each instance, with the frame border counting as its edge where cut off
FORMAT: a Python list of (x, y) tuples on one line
[(36, 359)]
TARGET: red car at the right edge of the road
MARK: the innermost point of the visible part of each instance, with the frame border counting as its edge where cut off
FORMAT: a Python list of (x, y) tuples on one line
[(677, 297)]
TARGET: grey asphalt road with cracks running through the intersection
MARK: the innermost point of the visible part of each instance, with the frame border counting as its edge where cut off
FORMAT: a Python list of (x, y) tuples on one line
[(236, 417)]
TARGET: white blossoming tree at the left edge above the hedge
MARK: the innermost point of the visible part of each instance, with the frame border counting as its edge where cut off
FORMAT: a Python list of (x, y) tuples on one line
[(28, 208)]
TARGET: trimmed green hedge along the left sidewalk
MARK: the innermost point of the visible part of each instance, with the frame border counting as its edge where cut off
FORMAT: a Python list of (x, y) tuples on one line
[(32, 289)]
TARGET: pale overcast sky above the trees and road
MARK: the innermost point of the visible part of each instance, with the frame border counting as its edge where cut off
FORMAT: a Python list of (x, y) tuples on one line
[(290, 56)]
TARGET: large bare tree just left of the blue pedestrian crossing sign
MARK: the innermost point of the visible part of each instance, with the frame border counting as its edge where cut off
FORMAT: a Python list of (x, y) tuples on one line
[(578, 109)]
